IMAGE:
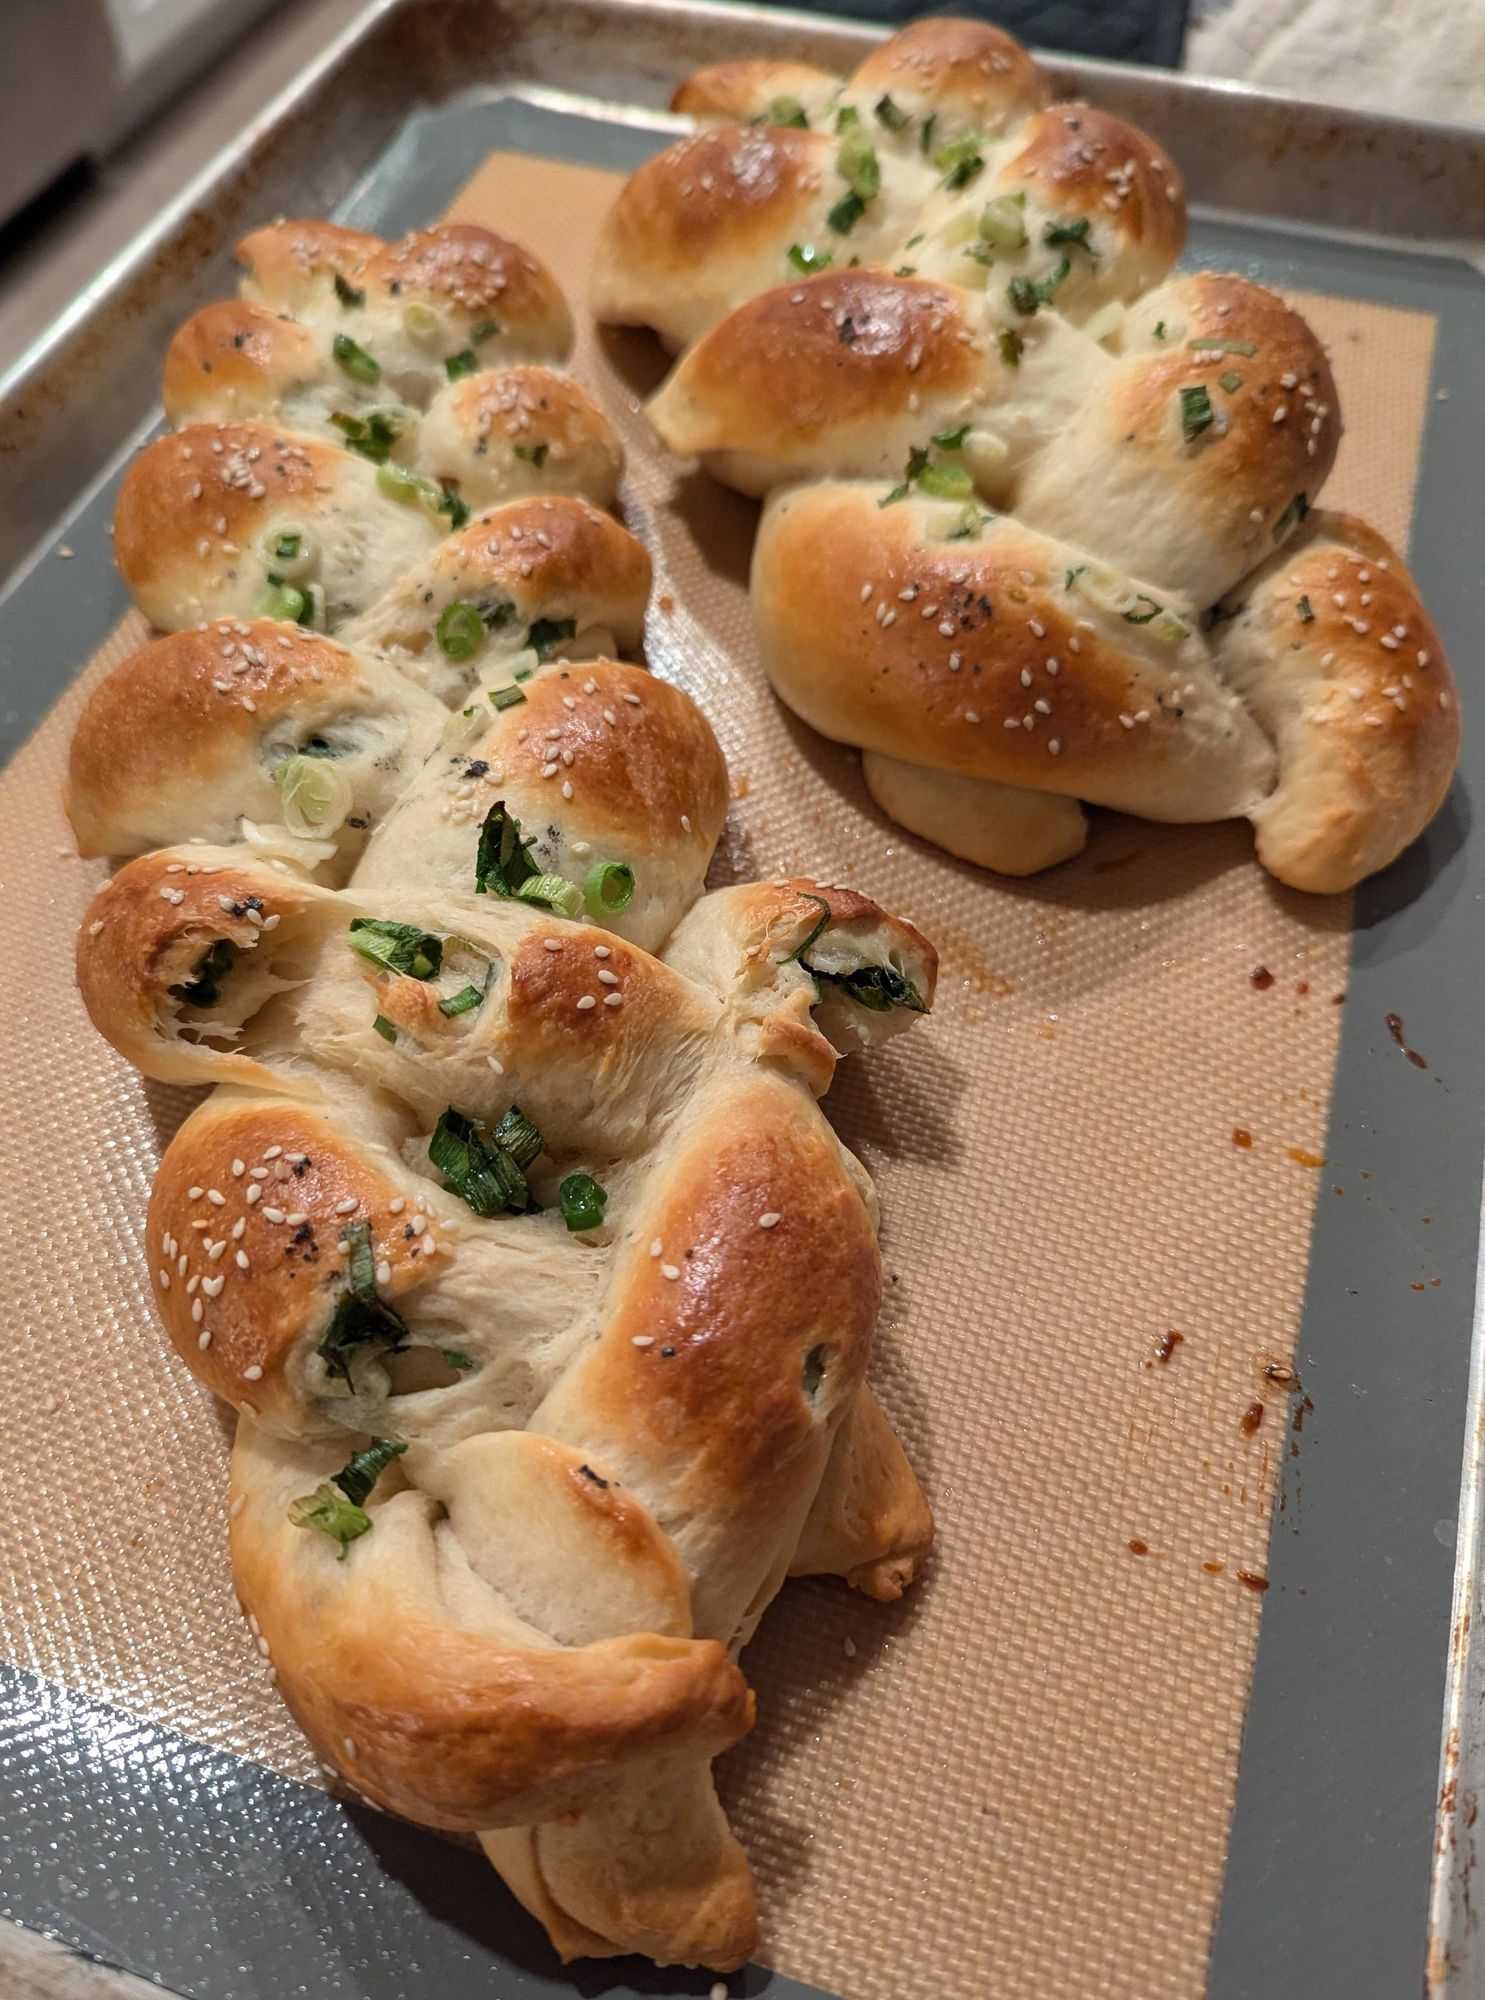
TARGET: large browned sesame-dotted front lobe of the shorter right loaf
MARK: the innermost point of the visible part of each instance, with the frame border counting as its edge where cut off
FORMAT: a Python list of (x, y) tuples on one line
[(946, 659)]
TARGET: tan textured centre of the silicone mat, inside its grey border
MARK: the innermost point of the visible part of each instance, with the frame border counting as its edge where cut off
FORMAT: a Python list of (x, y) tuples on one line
[(1020, 1777)]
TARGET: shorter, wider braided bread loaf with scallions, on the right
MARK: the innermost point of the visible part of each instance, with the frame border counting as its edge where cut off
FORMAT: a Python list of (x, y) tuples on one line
[(934, 295)]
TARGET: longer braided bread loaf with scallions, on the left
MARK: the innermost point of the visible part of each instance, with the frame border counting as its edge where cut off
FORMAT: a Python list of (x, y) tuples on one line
[(511, 1231)]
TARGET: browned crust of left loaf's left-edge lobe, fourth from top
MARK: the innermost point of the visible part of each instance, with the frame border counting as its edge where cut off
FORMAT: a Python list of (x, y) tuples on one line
[(191, 699)]
